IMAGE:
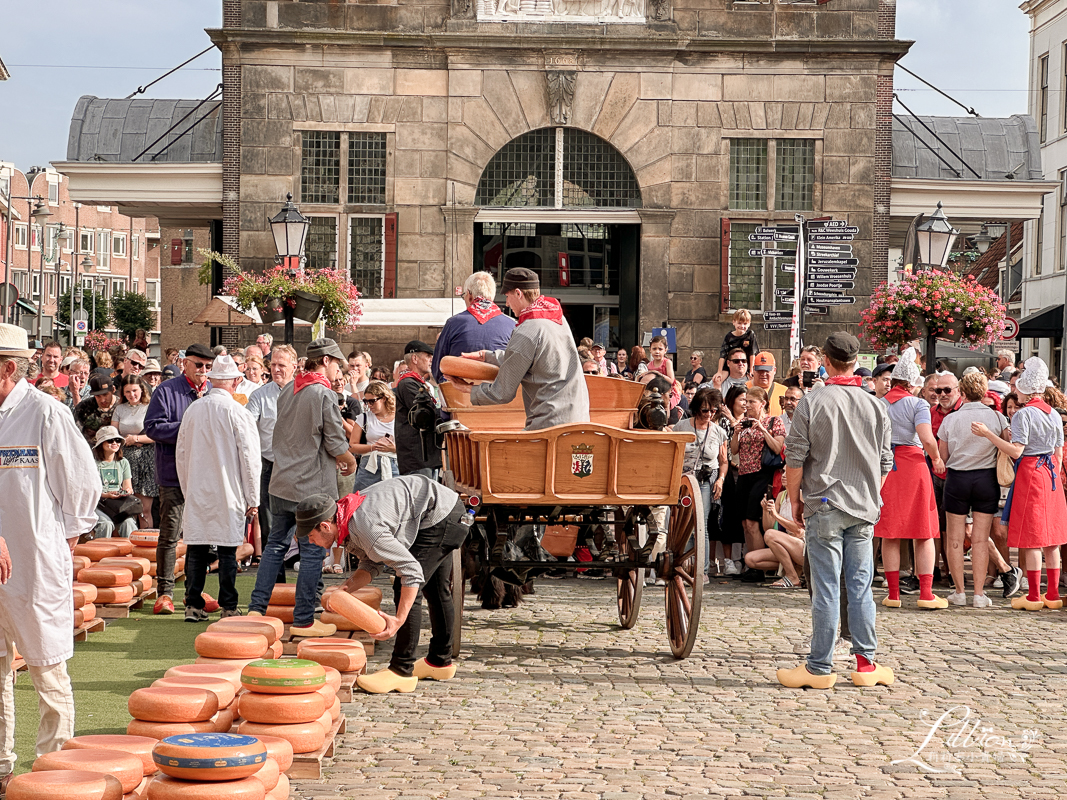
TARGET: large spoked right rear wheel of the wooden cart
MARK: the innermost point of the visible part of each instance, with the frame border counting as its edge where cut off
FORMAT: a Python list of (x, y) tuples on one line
[(684, 563)]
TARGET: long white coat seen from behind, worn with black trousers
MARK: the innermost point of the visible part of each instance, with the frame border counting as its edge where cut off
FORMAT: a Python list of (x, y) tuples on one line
[(218, 463)]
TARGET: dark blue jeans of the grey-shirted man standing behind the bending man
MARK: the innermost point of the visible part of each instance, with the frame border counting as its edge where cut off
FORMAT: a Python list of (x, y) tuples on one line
[(310, 578)]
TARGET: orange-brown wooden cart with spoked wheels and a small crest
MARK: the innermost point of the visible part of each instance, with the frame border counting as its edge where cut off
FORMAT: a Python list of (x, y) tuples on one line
[(579, 478)]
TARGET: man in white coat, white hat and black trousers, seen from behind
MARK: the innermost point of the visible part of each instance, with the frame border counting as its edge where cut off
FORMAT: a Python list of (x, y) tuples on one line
[(218, 465)]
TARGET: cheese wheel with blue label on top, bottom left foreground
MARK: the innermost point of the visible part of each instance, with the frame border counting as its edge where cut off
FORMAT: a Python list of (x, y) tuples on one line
[(219, 757)]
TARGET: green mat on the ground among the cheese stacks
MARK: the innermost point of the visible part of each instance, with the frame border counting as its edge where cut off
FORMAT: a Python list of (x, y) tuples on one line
[(109, 666)]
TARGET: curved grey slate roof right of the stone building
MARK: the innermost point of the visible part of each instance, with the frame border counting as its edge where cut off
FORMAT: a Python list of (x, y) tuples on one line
[(993, 148)]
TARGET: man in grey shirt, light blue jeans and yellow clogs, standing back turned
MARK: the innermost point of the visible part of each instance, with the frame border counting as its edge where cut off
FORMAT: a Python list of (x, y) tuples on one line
[(838, 455)]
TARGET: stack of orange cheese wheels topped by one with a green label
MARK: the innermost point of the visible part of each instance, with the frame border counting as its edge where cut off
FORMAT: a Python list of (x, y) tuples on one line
[(283, 700)]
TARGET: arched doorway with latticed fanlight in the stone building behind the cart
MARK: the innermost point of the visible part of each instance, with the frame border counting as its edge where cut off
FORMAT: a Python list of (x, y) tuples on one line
[(563, 202)]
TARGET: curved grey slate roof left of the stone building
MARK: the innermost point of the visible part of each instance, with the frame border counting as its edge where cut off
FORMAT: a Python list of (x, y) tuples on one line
[(119, 131)]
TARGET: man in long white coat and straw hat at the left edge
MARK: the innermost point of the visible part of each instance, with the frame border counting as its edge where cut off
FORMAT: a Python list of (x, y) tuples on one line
[(50, 488)]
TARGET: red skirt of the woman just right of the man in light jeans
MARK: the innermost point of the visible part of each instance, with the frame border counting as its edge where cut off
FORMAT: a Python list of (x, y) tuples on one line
[(909, 508)]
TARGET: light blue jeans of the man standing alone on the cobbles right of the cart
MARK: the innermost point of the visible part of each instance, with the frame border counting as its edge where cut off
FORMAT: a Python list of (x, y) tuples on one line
[(838, 541)]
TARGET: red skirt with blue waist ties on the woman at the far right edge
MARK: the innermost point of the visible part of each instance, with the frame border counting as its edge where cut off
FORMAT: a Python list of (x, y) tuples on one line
[(1039, 516)]
